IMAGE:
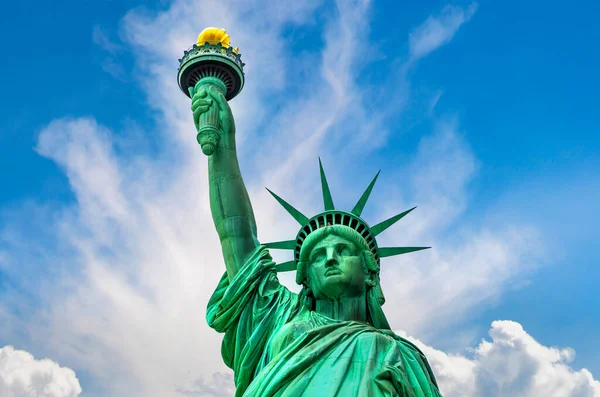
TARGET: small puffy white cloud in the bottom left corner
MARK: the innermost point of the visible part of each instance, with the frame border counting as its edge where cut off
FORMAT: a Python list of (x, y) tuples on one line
[(21, 375)]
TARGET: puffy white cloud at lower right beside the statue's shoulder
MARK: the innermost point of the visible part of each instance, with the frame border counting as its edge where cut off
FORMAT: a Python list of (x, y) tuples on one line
[(512, 364)]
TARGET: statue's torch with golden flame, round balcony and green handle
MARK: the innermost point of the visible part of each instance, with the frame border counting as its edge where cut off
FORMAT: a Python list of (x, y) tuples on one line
[(211, 62)]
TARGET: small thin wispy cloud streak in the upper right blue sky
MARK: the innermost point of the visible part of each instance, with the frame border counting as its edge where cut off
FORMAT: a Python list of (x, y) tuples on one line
[(438, 30)]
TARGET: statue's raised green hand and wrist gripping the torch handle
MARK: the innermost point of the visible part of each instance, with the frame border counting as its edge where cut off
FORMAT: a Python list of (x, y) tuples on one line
[(203, 98)]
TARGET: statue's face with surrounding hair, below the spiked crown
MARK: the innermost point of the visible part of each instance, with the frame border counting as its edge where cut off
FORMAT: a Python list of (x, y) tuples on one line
[(335, 261)]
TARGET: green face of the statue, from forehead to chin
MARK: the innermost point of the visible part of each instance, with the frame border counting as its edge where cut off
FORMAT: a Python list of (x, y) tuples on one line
[(335, 269)]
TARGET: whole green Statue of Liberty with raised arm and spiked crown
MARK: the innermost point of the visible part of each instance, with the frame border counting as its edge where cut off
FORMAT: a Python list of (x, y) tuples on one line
[(331, 339)]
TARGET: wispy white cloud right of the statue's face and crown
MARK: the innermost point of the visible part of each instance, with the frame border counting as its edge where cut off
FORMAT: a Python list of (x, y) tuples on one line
[(468, 264)]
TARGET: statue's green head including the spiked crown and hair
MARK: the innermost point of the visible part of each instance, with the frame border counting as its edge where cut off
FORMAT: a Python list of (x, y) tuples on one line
[(336, 253)]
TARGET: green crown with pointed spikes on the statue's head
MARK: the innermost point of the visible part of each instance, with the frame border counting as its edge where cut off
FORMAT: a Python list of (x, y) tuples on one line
[(332, 216)]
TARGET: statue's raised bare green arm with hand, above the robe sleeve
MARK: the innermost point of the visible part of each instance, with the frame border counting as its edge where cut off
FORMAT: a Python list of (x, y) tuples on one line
[(229, 202)]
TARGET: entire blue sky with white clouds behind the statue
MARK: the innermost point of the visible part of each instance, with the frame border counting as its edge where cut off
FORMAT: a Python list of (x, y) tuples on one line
[(481, 114)]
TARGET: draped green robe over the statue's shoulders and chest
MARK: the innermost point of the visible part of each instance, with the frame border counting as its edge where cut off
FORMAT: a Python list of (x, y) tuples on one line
[(277, 347)]
